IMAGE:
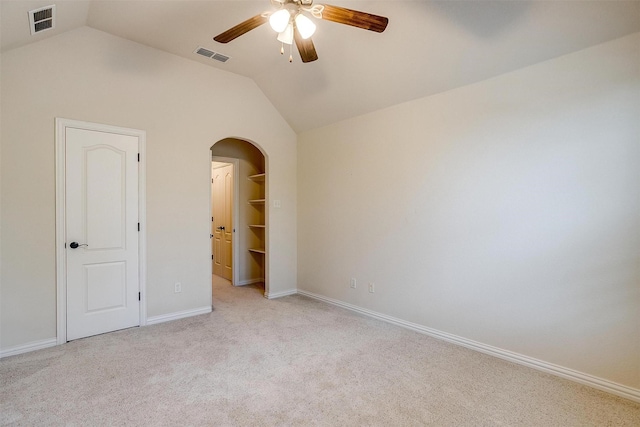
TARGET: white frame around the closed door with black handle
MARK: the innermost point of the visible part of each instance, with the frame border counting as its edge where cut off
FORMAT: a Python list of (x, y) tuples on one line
[(61, 253)]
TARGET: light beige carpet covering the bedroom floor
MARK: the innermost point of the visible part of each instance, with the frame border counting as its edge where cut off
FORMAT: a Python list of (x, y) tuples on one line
[(290, 361)]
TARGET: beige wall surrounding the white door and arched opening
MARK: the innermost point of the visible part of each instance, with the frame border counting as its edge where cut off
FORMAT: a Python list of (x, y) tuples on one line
[(184, 107)]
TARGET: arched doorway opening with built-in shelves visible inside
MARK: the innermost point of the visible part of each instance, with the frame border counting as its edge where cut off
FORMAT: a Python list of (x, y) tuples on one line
[(239, 214)]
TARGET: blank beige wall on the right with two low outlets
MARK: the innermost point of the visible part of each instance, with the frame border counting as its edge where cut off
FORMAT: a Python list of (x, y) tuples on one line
[(505, 212)]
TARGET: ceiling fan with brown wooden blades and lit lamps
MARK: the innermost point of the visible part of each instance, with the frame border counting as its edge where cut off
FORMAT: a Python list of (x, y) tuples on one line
[(291, 24)]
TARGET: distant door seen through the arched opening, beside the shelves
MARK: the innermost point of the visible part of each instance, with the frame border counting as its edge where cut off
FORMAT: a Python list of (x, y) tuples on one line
[(222, 224)]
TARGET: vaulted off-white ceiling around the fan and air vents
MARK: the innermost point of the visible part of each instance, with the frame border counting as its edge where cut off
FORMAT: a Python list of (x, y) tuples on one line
[(428, 47)]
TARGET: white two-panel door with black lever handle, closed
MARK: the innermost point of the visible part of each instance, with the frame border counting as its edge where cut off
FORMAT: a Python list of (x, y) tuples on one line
[(101, 188)]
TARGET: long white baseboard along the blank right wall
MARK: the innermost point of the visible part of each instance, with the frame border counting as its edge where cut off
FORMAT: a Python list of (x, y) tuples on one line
[(580, 377)]
